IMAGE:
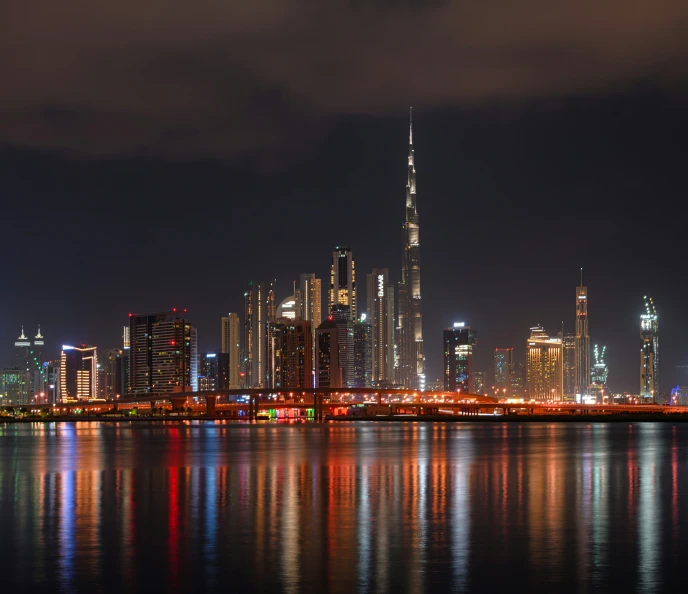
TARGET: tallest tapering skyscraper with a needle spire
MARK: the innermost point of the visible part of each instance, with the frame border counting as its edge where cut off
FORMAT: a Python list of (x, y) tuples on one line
[(411, 367)]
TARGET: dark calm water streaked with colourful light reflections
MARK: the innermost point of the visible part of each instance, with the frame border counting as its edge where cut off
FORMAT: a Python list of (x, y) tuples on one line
[(346, 507)]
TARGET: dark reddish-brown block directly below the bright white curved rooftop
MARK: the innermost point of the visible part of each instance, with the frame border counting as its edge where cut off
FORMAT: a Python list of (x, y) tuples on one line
[(297, 355)]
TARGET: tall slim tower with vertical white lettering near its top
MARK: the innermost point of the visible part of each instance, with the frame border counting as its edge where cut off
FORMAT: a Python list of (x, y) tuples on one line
[(380, 315)]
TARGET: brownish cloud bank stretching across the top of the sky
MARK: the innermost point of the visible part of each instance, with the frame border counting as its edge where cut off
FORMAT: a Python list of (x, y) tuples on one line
[(214, 77)]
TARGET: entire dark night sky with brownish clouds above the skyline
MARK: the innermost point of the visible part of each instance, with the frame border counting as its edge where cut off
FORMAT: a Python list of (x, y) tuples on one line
[(162, 154)]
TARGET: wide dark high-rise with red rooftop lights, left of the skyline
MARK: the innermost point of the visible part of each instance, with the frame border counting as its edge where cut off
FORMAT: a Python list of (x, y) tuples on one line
[(163, 354)]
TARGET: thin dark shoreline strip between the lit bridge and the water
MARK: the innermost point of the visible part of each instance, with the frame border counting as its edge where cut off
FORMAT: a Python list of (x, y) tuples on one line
[(620, 418)]
